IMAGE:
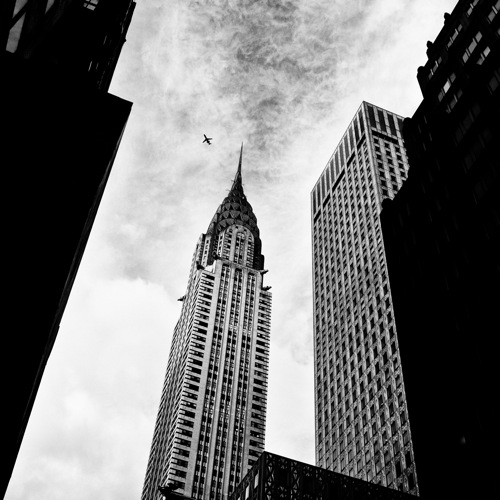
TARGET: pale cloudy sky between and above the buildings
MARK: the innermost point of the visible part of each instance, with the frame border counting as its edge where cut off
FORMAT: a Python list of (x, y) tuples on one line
[(284, 78)]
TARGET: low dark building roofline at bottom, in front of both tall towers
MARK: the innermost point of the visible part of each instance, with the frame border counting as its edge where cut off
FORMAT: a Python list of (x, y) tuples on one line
[(274, 477)]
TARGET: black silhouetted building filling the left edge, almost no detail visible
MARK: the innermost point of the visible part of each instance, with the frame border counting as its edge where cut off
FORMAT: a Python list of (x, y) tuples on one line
[(60, 133)]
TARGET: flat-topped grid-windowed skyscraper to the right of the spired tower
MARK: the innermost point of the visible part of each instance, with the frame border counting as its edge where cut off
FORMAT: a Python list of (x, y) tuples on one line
[(362, 426)]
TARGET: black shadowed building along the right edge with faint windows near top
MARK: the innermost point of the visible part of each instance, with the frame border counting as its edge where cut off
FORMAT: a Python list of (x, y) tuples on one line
[(442, 239)]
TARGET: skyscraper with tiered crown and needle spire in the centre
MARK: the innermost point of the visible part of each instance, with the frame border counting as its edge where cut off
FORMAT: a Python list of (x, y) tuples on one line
[(211, 423)]
